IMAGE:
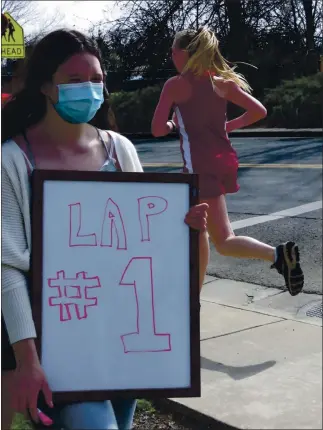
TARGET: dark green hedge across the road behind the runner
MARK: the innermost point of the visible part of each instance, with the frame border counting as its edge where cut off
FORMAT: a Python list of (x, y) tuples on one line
[(293, 104)]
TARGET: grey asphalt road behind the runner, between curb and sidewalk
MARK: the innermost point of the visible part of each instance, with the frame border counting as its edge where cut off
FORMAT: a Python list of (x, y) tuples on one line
[(292, 177)]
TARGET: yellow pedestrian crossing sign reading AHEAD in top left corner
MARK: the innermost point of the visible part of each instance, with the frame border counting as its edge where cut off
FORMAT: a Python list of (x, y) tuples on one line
[(12, 38)]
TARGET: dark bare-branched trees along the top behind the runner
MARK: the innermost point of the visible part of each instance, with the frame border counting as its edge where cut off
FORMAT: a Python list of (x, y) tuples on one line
[(280, 37)]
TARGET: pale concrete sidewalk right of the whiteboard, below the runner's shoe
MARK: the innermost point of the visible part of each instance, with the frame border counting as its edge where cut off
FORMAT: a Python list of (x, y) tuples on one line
[(261, 357)]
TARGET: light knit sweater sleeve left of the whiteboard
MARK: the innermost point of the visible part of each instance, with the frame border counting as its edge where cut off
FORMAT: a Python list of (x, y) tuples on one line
[(15, 260)]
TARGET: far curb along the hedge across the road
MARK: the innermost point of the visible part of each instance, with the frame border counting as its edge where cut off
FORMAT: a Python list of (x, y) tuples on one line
[(261, 132)]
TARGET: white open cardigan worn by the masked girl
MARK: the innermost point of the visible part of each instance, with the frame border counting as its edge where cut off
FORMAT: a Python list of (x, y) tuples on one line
[(16, 232)]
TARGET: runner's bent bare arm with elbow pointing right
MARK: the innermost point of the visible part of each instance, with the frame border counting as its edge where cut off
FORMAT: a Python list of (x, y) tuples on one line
[(255, 111)]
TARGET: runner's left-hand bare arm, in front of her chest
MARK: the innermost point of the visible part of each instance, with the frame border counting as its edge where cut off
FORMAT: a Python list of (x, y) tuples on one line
[(161, 126)]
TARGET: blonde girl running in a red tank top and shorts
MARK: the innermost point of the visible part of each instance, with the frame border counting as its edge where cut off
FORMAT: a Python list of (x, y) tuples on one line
[(199, 96)]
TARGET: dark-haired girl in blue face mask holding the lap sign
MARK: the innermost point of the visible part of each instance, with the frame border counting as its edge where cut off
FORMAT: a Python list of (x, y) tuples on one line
[(57, 121)]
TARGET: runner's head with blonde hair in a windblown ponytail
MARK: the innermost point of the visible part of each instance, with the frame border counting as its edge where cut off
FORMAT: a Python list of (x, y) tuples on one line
[(205, 56)]
